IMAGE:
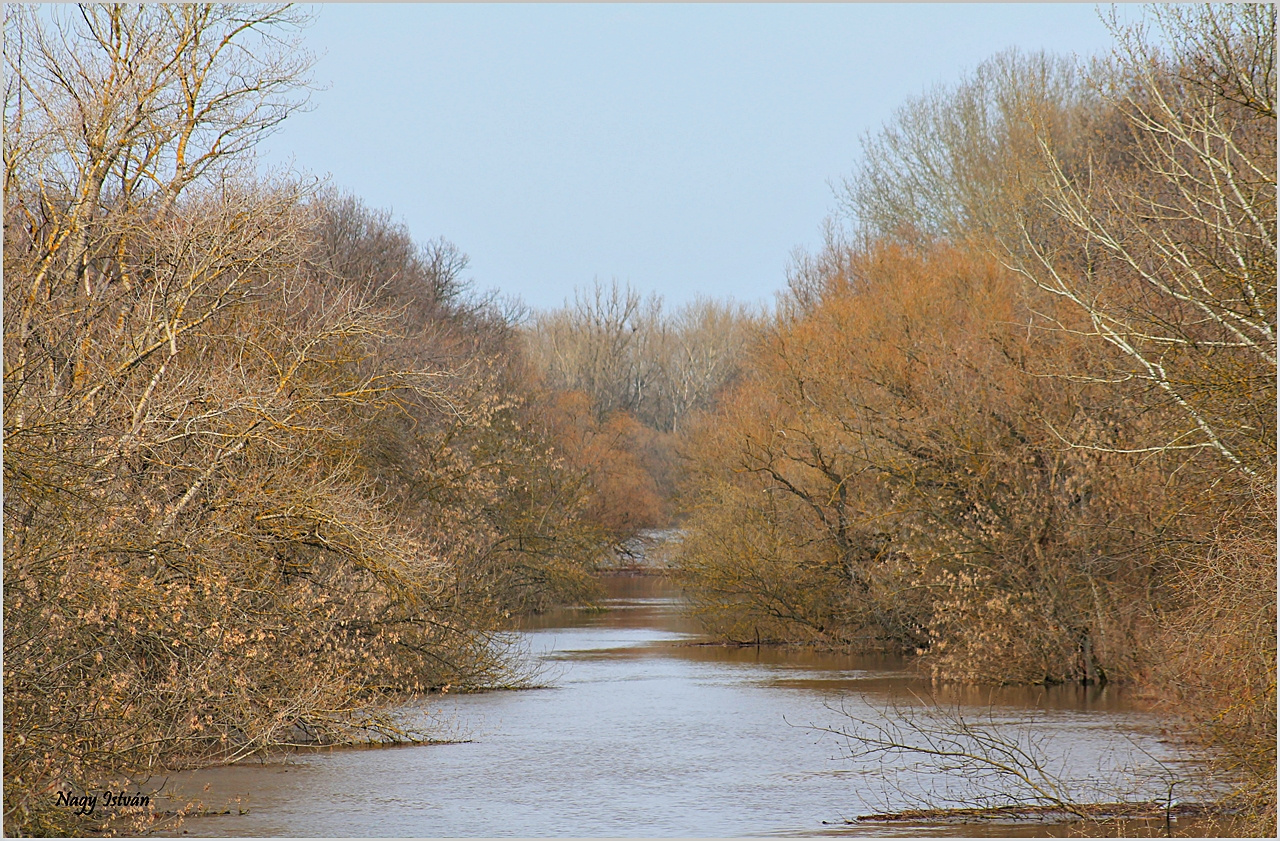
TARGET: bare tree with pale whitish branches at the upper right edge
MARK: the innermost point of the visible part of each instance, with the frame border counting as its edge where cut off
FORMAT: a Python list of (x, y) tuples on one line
[(1169, 253)]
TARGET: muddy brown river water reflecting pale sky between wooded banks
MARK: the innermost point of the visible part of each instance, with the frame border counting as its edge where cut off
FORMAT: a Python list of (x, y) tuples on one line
[(642, 732)]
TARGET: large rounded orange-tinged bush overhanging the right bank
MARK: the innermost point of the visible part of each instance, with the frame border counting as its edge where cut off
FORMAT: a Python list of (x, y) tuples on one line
[(890, 436)]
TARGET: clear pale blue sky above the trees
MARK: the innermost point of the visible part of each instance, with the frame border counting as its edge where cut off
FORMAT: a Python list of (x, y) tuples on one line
[(684, 149)]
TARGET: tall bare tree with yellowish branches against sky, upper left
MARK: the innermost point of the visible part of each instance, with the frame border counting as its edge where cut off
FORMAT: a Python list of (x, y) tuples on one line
[(113, 113)]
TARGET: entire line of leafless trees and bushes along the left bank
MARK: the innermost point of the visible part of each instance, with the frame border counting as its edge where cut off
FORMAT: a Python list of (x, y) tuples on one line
[(268, 464)]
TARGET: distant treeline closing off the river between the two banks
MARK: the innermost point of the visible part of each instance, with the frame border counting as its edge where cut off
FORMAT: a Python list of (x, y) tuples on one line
[(625, 378)]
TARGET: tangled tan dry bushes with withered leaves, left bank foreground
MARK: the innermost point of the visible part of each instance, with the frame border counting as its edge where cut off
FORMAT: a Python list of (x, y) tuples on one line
[(195, 566)]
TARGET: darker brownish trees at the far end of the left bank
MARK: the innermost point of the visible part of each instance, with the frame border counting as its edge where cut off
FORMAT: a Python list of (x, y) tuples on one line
[(487, 473)]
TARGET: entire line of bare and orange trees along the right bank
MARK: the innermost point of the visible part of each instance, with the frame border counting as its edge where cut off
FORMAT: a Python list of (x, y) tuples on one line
[(1017, 420)]
